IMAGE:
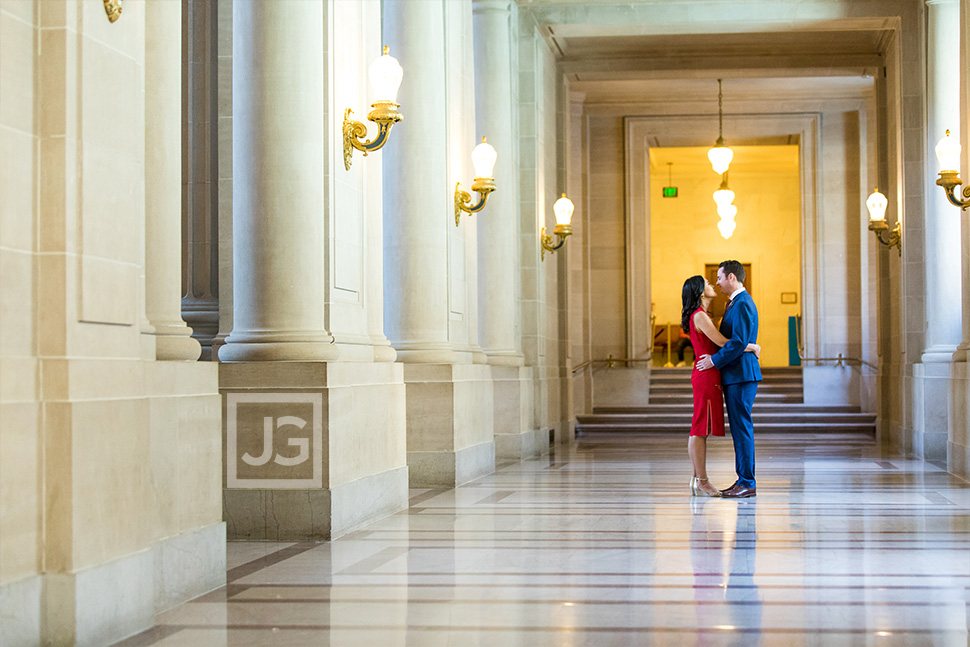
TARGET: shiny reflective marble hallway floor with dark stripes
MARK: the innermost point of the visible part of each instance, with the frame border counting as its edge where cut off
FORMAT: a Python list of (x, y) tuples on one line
[(599, 543)]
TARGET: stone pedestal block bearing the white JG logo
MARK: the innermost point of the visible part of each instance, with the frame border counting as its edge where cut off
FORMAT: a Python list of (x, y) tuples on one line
[(336, 458)]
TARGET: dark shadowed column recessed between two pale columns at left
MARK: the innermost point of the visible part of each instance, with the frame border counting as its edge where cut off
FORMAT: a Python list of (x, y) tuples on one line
[(200, 210)]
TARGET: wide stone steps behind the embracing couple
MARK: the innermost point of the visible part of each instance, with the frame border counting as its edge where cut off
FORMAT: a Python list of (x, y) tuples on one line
[(779, 407)]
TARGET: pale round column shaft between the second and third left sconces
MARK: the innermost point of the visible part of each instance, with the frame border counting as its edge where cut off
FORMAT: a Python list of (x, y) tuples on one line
[(497, 231)]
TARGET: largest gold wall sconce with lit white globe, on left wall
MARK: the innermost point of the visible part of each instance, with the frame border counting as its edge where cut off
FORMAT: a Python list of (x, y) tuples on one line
[(385, 76)]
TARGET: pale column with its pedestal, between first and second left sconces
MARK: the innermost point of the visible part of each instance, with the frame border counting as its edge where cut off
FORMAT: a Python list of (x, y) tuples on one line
[(449, 399)]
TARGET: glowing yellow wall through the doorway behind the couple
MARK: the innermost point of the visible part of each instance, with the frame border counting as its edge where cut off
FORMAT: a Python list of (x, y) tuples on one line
[(684, 234)]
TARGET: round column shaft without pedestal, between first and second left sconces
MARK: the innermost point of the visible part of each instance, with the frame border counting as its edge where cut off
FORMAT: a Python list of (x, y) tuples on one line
[(416, 189)]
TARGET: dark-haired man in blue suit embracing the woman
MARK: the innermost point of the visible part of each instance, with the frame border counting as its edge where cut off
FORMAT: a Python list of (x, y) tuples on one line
[(740, 373)]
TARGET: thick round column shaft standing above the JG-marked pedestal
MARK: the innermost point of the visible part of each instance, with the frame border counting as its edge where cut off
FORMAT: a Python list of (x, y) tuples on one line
[(278, 176)]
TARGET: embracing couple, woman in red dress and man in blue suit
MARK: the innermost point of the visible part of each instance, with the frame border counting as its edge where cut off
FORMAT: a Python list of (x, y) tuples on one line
[(726, 371)]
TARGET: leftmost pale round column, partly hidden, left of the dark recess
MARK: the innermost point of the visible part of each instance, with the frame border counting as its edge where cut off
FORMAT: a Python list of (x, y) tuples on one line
[(163, 222)]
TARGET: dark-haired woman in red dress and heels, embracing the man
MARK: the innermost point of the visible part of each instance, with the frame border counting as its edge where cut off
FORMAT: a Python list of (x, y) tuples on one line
[(708, 399)]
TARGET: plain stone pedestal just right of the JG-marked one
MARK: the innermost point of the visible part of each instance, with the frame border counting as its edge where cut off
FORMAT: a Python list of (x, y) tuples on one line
[(450, 422)]
